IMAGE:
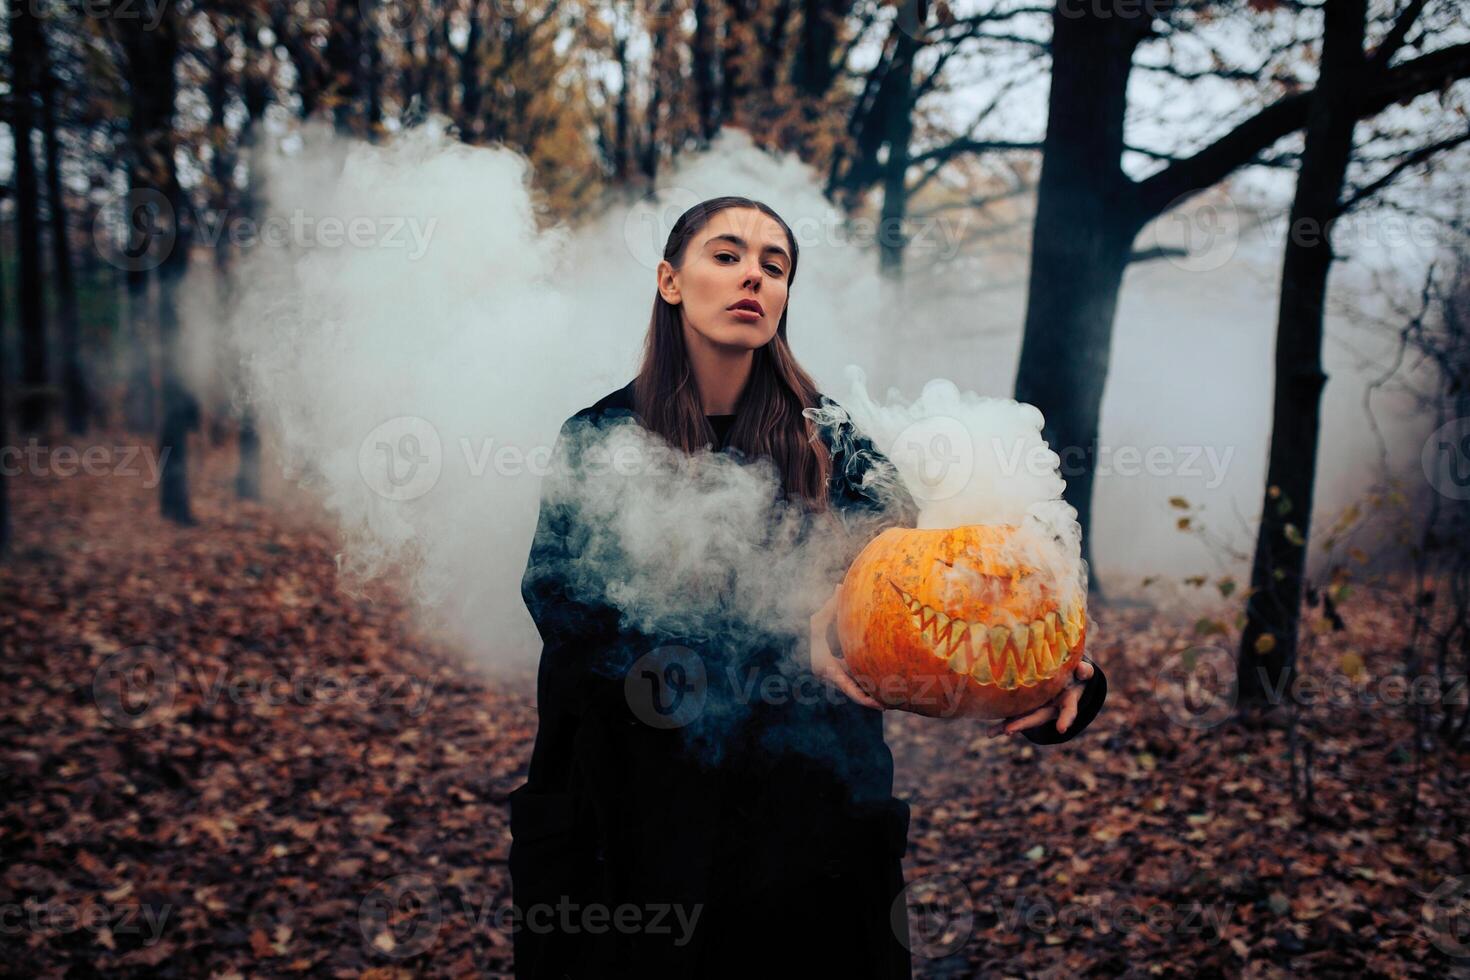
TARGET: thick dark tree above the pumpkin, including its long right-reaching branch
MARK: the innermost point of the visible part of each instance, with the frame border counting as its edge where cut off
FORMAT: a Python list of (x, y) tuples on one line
[(1089, 212)]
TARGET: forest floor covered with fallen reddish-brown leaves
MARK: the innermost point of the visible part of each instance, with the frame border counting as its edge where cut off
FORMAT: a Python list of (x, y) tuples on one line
[(214, 763)]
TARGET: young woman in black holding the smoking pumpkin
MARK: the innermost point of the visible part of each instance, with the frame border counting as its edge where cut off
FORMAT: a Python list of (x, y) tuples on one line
[(780, 853)]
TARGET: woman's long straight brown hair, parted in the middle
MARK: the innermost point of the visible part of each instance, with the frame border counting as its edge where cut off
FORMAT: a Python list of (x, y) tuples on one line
[(768, 419)]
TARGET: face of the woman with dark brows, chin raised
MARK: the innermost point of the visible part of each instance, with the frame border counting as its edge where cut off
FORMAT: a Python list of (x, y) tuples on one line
[(740, 259)]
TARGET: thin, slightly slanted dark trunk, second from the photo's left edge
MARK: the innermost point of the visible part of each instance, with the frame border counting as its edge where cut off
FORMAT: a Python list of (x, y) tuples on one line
[(77, 397)]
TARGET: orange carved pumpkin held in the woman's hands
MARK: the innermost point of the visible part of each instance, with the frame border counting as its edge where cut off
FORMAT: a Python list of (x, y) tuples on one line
[(936, 622)]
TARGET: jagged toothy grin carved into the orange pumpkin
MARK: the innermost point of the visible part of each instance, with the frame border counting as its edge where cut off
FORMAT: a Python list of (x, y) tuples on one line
[(1005, 656)]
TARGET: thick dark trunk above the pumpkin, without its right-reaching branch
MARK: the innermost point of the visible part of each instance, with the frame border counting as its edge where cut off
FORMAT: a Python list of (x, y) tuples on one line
[(1084, 230)]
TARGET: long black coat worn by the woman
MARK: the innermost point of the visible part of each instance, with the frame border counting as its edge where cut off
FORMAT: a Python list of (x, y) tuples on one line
[(778, 831)]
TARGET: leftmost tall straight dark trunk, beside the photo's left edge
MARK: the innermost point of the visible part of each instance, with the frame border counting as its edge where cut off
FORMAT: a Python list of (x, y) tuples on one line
[(32, 271)]
